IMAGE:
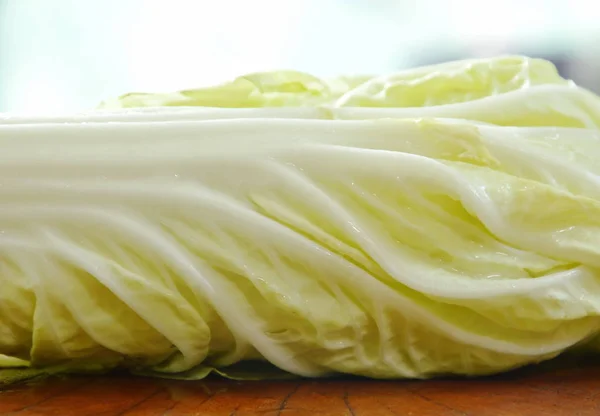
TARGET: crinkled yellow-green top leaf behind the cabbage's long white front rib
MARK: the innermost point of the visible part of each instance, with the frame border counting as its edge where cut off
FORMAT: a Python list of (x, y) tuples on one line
[(510, 91)]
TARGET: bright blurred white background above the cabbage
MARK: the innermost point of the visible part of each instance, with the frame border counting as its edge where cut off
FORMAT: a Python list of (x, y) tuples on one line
[(64, 55)]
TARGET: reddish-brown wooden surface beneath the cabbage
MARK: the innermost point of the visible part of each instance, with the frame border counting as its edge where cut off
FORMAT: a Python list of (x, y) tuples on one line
[(567, 391)]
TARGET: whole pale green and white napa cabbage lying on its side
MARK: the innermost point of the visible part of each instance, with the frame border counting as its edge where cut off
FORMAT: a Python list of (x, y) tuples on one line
[(443, 220)]
